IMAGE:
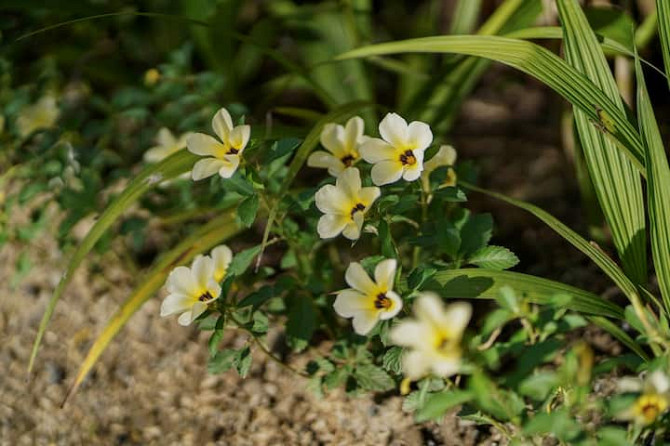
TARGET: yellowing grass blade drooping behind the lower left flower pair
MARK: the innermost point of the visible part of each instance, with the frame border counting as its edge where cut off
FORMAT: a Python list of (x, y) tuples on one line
[(205, 238)]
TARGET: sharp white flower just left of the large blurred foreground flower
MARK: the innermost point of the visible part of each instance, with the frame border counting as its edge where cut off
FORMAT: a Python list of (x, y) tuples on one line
[(366, 301)]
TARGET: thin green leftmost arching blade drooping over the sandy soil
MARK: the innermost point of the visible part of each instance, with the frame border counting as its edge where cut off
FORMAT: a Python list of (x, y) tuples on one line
[(171, 167)]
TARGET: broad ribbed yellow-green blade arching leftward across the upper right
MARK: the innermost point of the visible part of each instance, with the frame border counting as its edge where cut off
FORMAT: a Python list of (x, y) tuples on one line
[(539, 63)]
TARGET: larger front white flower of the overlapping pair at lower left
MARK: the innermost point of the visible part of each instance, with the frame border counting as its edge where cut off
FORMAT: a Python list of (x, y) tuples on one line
[(191, 290)]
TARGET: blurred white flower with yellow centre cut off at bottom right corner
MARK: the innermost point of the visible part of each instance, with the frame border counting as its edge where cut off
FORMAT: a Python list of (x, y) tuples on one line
[(652, 403)]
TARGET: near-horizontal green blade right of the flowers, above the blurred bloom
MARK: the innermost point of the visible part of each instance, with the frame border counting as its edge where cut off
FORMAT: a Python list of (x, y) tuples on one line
[(480, 283)]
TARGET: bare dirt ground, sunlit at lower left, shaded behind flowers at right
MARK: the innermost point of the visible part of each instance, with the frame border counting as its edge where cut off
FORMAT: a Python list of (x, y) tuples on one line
[(151, 386)]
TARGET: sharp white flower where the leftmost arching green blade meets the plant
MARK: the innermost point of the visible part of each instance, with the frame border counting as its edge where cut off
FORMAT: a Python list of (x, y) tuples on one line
[(223, 155)]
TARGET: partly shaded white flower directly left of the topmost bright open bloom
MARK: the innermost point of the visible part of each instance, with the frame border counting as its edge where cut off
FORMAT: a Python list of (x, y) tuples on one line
[(342, 143)]
